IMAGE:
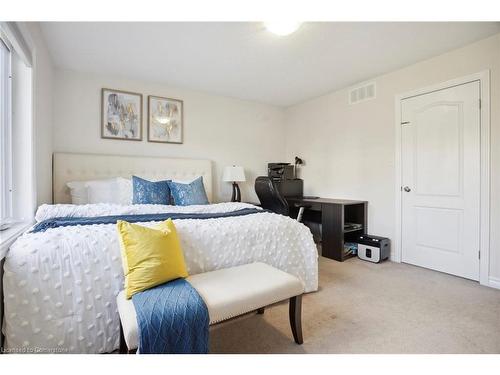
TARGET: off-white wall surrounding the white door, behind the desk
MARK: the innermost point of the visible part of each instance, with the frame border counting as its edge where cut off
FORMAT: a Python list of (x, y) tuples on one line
[(350, 149)]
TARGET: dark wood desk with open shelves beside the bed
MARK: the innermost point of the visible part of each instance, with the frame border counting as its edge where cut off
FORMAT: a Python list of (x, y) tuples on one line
[(333, 214)]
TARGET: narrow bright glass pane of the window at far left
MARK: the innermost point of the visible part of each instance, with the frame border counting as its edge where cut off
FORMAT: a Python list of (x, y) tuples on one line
[(5, 136)]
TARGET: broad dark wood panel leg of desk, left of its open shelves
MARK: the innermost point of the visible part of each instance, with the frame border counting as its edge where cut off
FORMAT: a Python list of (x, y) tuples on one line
[(332, 238)]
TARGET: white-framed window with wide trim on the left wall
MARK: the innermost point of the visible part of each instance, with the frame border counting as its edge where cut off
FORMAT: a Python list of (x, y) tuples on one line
[(17, 198)]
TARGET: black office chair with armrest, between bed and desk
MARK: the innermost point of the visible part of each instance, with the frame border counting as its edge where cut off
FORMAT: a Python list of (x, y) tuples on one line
[(271, 199)]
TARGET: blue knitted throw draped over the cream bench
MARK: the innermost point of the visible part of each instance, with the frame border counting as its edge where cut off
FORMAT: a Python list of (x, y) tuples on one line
[(172, 319)]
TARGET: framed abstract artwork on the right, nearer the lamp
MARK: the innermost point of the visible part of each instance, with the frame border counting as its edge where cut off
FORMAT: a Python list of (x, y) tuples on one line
[(165, 120)]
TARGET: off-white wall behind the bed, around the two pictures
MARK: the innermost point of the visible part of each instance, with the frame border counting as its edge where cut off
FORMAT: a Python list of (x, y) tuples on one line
[(224, 130)]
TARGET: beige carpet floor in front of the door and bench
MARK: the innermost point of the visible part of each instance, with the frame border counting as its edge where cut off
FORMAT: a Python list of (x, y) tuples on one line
[(375, 308)]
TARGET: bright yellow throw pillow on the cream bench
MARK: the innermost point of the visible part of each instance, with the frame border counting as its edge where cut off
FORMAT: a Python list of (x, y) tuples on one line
[(151, 256)]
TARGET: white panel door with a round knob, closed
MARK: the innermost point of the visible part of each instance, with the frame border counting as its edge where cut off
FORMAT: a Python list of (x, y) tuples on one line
[(441, 180)]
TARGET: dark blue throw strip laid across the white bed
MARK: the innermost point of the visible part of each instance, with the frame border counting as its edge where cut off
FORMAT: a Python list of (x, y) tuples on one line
[(72, 221)]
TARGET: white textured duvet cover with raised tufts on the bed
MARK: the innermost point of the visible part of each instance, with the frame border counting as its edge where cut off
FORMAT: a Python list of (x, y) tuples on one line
[(60, 285)]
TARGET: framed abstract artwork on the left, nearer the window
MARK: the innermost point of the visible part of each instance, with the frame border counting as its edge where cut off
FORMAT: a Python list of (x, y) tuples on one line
[(121, 115)]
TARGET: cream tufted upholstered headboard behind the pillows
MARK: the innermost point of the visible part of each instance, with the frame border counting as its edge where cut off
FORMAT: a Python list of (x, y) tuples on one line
[(80, 167)]
